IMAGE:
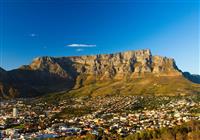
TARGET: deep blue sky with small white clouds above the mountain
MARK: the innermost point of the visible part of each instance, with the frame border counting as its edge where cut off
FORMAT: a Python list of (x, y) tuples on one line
[(32, 28)]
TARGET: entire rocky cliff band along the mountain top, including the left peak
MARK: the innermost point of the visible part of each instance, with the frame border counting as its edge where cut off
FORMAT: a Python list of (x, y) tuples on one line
[(117, 65)]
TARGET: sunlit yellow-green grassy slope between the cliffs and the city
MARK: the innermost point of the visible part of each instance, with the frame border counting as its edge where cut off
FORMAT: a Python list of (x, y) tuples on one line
[(149, 85)]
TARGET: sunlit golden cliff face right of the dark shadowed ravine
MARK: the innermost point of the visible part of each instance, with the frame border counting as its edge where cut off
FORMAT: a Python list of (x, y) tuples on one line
[(121, 65)]
